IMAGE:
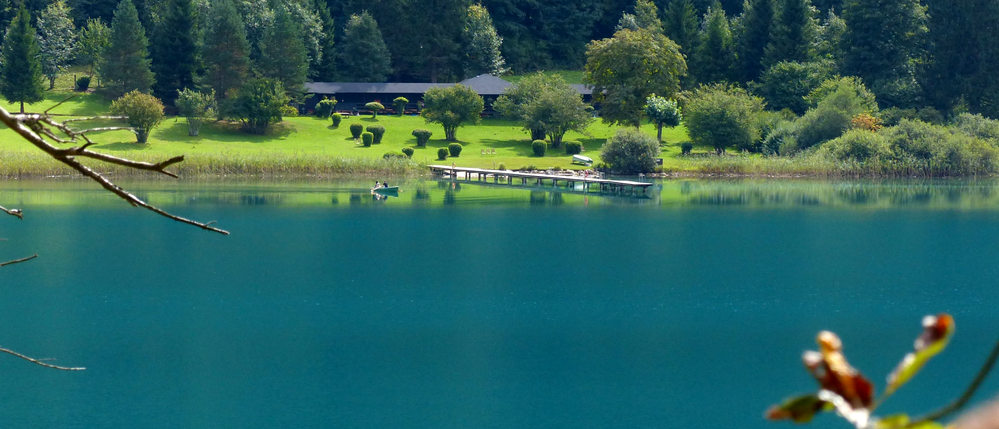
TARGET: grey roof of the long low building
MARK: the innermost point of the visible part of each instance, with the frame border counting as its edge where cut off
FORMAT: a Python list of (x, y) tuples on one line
[(483, 84)]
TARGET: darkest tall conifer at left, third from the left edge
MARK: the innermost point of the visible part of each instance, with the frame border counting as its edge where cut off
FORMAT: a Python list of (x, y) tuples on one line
[(174, 51)]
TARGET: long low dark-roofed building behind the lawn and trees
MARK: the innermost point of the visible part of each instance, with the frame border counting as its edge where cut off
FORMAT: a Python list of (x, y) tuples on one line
[(352, 96)]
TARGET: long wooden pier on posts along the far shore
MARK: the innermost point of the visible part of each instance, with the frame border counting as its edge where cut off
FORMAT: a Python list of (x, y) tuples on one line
[(508, 177)]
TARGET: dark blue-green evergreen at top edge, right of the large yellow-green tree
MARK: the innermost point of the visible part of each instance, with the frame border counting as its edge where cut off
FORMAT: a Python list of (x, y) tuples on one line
[(792, 34)]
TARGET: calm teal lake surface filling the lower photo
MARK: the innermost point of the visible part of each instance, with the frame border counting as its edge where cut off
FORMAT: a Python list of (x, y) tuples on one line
[(475, 306)]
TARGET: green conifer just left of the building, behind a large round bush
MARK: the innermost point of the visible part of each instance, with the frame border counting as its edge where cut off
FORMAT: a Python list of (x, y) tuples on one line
[(283, 53)]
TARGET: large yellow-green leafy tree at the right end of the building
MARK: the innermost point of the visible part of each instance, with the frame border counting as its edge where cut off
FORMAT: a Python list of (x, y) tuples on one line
[(627, 68)]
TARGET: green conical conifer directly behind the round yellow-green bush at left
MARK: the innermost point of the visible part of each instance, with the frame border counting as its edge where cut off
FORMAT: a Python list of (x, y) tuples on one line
[(125, 66)]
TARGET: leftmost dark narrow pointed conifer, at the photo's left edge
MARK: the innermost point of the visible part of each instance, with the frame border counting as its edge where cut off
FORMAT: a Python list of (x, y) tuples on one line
[(21, 75)]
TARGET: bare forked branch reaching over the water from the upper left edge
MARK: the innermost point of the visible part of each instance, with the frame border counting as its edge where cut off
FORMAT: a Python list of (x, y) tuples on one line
[(27, 124)]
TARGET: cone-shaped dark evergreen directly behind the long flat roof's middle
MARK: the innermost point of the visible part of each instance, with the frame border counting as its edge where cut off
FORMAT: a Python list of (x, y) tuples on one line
[(363, 54)]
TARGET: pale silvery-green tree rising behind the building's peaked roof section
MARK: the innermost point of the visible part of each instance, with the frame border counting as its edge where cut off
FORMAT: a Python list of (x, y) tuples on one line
[(482, 45)]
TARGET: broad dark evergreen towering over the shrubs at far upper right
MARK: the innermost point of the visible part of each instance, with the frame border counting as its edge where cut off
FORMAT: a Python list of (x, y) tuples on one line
[(883, 44)]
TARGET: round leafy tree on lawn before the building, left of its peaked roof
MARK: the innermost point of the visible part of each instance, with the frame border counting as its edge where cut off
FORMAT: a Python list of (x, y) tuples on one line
[(451, 107)]
